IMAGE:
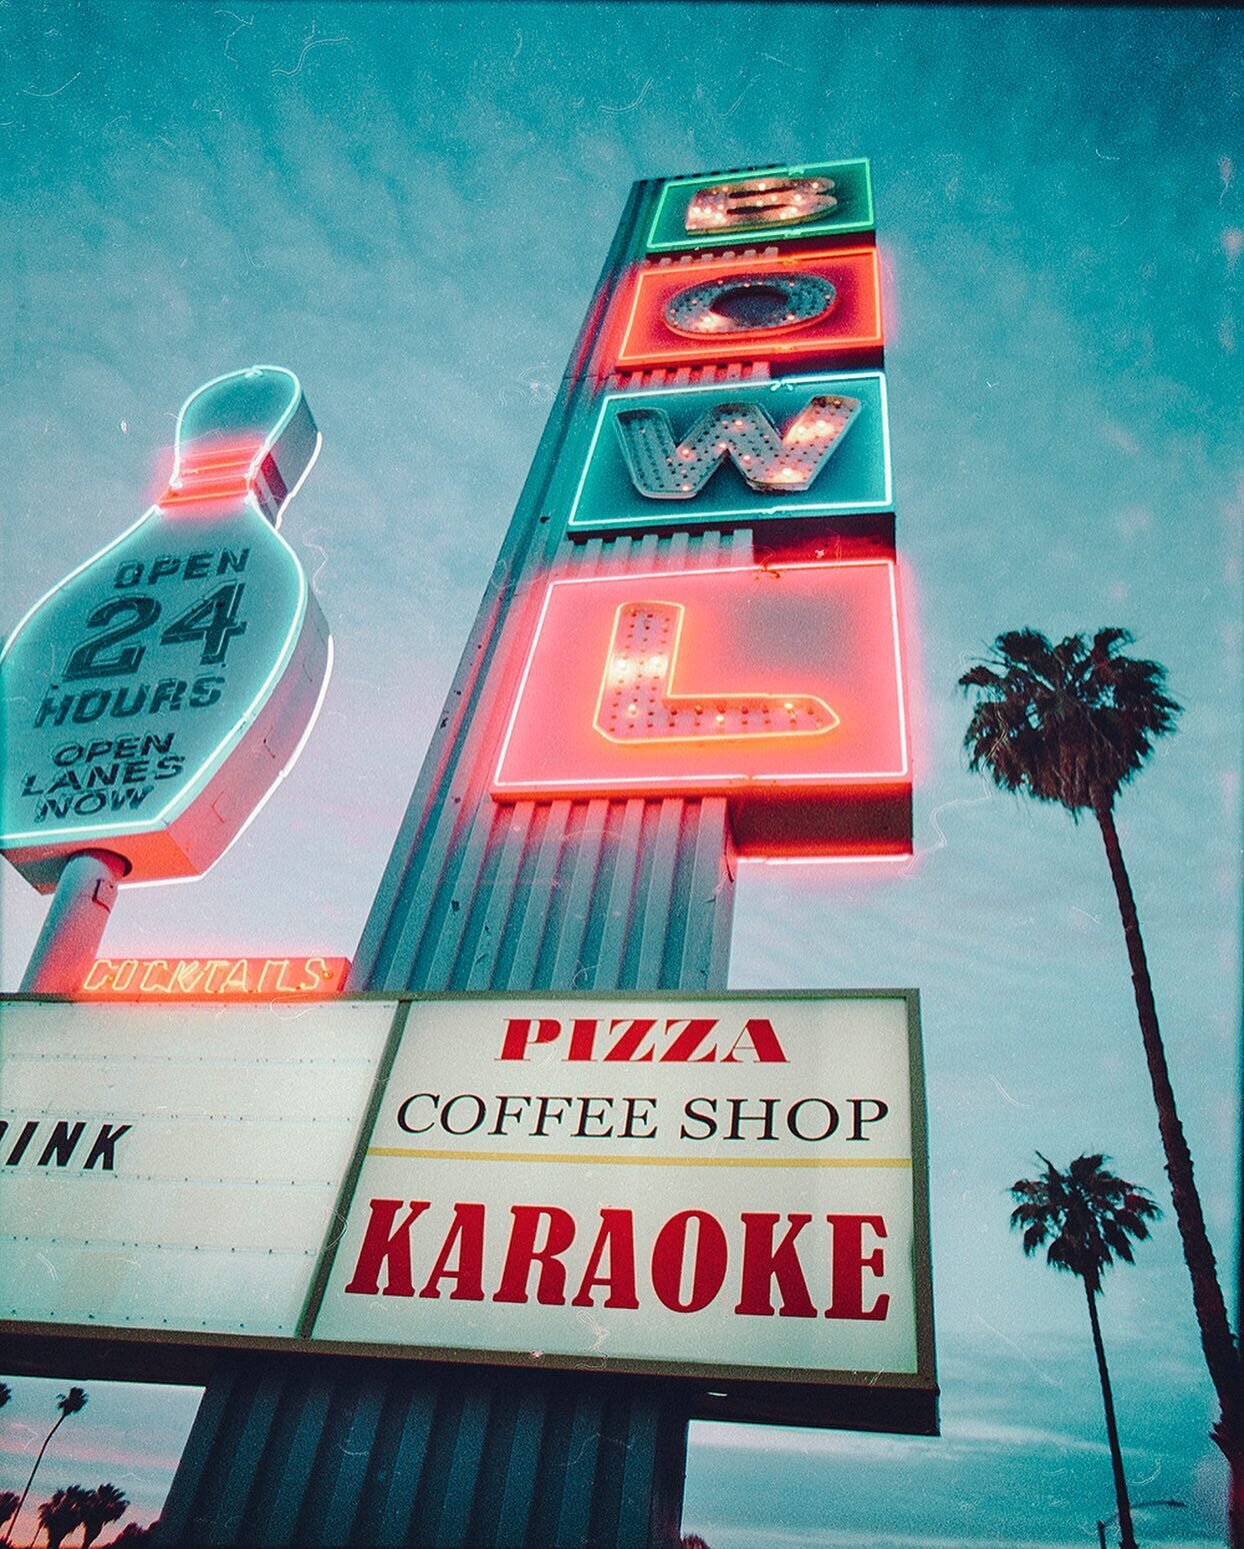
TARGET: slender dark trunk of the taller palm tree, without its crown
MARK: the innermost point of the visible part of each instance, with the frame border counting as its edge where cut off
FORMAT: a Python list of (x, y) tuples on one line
[(1217, 1341)]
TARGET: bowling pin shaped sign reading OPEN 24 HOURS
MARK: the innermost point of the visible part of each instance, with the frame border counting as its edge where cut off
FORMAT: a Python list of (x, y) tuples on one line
[(157, 695)]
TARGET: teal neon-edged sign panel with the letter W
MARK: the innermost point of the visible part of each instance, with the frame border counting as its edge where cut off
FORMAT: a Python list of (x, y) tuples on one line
[(737, 453)]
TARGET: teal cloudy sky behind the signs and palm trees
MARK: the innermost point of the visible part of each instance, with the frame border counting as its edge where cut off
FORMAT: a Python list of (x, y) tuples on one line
[(410, 205)]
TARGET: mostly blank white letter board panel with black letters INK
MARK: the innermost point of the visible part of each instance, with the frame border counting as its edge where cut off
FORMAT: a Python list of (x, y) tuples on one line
[(176, 1169)]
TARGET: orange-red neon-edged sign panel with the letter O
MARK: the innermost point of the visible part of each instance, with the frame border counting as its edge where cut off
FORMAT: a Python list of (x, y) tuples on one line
[(778, 307)]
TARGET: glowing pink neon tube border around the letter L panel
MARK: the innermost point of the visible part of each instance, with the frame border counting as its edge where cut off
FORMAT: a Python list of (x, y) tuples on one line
[(712, 783)]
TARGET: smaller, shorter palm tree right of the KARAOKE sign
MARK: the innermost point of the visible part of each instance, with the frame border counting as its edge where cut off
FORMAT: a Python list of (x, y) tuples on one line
[(1088, 1217)]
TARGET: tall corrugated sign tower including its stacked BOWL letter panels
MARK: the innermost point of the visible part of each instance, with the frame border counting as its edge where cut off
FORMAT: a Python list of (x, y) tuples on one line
[(605, 881)]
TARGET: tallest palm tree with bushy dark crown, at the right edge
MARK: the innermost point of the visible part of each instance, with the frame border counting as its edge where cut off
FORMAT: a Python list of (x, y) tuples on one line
[(1073, 724)]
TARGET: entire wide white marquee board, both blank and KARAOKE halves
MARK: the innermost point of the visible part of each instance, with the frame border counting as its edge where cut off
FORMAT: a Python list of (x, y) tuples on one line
[(726, 1187)]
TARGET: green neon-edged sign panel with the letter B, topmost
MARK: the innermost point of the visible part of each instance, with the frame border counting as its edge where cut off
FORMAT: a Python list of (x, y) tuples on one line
[(727, 208)]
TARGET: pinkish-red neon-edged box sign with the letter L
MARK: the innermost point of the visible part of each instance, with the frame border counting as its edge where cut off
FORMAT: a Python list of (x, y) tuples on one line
[(775, 687)]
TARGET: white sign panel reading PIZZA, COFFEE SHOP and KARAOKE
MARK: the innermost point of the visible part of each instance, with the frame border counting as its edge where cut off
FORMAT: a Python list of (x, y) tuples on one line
[(726, 1186)]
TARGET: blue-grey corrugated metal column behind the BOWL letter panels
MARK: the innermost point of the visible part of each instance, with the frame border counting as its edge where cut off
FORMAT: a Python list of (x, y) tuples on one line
[(565, 895)]
